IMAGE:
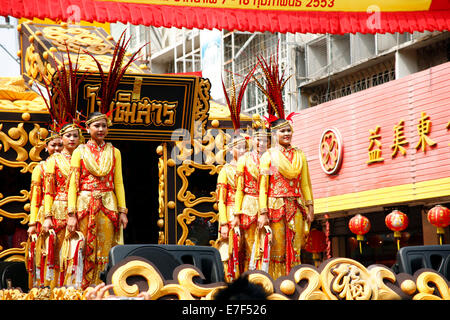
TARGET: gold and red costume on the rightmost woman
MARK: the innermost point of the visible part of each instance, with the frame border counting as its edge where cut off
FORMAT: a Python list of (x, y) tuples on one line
[(285, 191)]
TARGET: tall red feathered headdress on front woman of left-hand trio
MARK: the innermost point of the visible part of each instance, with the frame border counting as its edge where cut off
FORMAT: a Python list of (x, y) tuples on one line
[(111, 80)]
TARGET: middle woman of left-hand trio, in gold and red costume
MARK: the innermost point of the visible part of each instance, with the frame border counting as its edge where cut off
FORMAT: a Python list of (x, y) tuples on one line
[(55, 200)]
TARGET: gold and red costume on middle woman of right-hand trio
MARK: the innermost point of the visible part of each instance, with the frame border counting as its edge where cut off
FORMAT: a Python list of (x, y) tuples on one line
[(246, 203)]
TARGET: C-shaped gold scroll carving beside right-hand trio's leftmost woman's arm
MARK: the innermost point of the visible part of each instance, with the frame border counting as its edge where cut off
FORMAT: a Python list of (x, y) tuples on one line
[(184, 171)]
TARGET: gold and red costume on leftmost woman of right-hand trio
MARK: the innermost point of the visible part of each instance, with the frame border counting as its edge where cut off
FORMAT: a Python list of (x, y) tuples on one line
[(226, 192)]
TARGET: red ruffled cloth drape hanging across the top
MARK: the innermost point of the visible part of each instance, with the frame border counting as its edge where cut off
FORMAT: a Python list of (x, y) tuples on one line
[(436, 18)]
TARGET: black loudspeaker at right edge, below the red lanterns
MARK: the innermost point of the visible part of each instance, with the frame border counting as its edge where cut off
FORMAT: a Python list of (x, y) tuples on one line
[(436, 257)]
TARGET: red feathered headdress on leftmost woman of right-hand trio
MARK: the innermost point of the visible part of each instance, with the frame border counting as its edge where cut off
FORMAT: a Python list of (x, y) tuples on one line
[(235, 104)]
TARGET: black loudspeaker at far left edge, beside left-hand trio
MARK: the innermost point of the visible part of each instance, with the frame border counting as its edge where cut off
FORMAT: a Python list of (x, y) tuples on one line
[(15, 274)]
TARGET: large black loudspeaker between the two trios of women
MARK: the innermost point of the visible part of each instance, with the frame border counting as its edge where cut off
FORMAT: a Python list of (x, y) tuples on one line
[(167, 257)]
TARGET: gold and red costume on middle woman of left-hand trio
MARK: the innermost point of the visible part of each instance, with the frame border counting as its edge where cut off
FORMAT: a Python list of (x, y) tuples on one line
[(57, 176)]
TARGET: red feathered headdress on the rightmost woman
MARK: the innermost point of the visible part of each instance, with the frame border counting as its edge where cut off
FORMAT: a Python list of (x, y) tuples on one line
[(273, 90)]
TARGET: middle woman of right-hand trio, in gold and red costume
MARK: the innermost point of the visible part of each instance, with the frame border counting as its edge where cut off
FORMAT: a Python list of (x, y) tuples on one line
[(247, 195)]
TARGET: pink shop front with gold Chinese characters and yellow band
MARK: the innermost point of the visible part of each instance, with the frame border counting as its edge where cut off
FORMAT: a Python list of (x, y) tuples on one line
[(378, 150)]
